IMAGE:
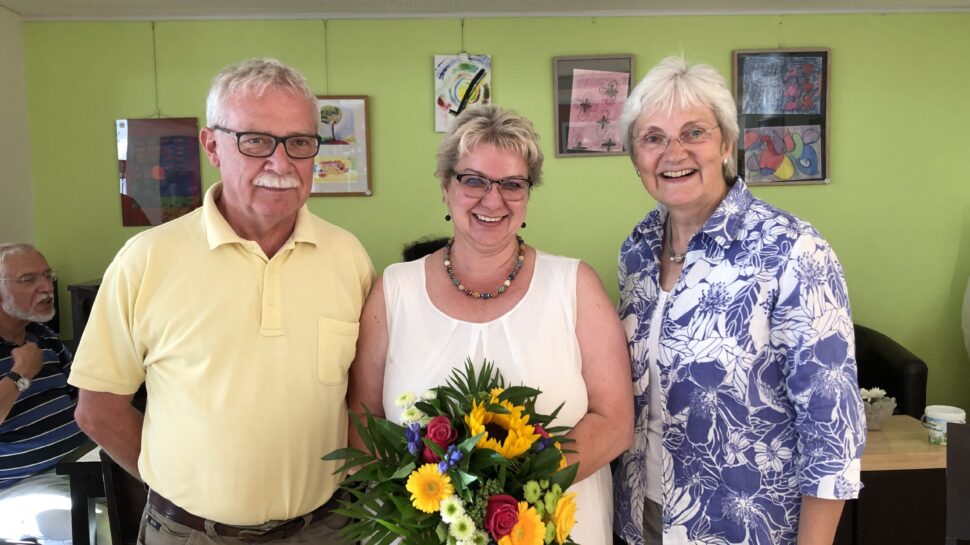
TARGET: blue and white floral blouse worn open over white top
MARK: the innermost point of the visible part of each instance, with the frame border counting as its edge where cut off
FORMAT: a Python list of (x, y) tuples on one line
[(757, 374)]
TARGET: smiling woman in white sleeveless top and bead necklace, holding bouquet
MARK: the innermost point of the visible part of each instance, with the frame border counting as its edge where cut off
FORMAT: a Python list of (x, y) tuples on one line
[(544, 320)]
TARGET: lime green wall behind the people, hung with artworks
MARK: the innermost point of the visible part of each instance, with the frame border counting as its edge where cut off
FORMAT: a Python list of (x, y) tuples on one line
[(897, 210)]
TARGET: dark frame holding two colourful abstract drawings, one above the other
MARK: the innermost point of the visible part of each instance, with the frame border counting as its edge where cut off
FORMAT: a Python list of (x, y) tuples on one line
[(782, 97)]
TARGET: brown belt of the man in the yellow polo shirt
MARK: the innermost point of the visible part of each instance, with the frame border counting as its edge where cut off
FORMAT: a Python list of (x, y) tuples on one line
[(282, 530)]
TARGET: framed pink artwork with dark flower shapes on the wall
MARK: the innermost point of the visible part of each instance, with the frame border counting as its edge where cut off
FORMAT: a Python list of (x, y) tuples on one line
[(589, 94)]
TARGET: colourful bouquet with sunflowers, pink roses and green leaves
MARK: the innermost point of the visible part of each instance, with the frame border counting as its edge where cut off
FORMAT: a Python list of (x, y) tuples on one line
[(471, 462)]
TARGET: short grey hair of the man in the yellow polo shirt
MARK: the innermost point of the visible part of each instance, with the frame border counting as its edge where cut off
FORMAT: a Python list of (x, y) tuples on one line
[(253, 77)]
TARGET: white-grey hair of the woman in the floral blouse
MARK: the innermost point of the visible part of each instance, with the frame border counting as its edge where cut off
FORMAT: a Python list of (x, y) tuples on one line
[(674, 85)]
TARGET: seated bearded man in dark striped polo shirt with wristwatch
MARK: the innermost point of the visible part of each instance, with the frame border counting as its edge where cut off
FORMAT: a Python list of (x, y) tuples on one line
[(37, 426)]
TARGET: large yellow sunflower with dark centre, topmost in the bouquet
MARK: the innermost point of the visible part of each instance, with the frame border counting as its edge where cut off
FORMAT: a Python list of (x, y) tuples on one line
[(508, 434)]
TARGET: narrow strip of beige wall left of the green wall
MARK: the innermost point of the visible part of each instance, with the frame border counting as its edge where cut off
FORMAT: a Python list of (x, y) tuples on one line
[(16, 185)]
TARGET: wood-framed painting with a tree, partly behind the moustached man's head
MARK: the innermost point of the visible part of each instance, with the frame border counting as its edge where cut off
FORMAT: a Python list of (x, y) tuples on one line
[(342, 166)]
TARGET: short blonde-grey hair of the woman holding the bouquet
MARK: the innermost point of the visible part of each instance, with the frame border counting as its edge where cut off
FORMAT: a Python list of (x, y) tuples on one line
[(489, 124)]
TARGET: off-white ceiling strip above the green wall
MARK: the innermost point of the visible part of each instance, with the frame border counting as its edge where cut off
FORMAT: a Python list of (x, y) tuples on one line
[(290, 9)]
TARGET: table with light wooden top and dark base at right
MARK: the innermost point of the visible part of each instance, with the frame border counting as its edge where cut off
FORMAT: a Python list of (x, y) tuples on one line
[(904, 499)]
